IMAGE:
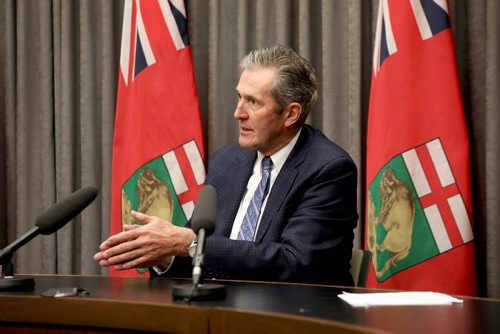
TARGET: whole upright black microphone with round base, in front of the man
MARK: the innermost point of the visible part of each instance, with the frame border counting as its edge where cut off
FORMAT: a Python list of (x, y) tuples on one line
[(203, 224)]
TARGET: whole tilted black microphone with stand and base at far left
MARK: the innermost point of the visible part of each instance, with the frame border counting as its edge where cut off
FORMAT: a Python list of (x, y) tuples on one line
[(47, 223)]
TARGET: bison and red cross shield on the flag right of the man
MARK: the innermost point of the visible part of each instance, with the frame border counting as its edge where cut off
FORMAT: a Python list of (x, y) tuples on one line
[(415, 210)]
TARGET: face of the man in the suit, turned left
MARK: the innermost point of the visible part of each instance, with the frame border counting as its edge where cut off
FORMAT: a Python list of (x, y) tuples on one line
[(261, 127)]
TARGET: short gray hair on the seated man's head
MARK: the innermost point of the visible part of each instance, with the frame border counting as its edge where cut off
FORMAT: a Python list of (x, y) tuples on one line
[(295, 78)]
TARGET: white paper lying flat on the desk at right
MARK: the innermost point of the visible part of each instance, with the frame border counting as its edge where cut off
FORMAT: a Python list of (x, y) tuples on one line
[(398, 298)]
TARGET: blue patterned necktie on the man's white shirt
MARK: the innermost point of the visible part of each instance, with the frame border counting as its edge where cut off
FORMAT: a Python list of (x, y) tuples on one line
[(247, 229)]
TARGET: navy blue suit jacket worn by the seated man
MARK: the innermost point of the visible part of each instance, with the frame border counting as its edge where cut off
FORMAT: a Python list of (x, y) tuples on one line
[(306, 230)]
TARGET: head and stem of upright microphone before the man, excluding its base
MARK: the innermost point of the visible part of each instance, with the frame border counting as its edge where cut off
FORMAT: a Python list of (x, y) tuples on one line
[(203, 224)]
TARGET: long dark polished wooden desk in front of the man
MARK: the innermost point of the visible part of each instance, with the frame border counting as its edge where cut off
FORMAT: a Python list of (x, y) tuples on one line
[(135, 304)]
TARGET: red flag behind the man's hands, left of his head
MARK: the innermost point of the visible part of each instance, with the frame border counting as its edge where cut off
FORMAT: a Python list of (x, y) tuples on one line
[(158, 159)]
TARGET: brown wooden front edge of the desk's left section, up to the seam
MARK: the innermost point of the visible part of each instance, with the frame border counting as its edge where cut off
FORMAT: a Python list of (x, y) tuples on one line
[(103, 313)]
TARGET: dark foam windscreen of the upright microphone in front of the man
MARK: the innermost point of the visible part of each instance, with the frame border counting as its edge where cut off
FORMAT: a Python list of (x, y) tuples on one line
[(205, 212)]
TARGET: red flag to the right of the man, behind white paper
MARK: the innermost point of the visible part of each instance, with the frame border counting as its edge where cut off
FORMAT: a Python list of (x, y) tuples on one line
[(419, 208)]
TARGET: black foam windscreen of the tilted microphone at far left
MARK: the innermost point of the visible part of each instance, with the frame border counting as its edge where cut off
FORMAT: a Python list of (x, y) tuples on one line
[(62, 212)]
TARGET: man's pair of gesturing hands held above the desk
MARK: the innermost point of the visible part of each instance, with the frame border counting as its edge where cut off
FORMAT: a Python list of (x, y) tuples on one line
[(141, 246)]
